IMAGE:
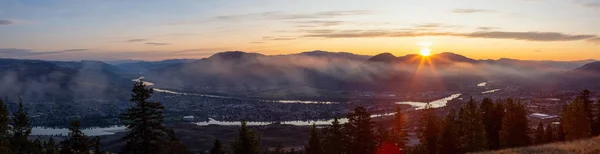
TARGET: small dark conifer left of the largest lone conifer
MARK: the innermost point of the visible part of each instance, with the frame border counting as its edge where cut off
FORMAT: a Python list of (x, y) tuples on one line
[(77, 142)]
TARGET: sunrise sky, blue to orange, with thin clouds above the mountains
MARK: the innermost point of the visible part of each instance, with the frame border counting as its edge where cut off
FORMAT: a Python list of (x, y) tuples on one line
[(167, 29)]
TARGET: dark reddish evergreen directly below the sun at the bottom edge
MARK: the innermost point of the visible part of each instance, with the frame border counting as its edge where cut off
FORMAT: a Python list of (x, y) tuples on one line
[(429, 129)]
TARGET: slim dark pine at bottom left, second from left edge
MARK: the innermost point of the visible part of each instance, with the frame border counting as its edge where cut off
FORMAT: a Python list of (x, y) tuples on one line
[(20, 129)]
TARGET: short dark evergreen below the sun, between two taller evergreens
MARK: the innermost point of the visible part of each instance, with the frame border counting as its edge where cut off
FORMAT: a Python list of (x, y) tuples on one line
[(449, 137)]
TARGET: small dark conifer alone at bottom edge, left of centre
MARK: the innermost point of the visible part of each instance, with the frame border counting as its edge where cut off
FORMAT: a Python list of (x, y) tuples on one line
[(247, 142)]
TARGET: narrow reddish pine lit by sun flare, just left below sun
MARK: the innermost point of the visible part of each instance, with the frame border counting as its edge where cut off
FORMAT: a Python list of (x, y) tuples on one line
[(400, 135)]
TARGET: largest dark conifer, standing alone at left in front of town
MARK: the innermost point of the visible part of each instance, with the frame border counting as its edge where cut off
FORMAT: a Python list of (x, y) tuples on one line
[(146, 134)]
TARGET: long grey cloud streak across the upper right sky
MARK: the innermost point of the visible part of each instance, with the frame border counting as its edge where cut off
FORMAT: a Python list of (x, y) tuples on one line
[(528, 36)]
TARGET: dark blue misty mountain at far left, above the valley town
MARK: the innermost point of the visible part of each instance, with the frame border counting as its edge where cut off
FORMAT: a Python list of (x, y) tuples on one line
[(47, 80)]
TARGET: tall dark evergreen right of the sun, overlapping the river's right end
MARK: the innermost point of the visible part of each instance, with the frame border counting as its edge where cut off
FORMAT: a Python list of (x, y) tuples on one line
[(473, 137)]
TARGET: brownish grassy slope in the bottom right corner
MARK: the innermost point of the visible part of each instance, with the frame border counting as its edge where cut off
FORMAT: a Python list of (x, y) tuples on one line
[(588, 146)]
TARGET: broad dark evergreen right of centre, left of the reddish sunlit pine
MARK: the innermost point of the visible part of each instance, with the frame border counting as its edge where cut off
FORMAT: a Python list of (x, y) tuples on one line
[(359, 128)]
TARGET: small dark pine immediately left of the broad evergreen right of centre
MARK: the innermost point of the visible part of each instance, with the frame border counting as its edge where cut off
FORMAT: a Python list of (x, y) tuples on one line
[(334, 138)]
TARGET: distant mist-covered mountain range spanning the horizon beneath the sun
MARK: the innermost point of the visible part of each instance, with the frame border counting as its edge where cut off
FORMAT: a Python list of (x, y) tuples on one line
[(237, 72)]
